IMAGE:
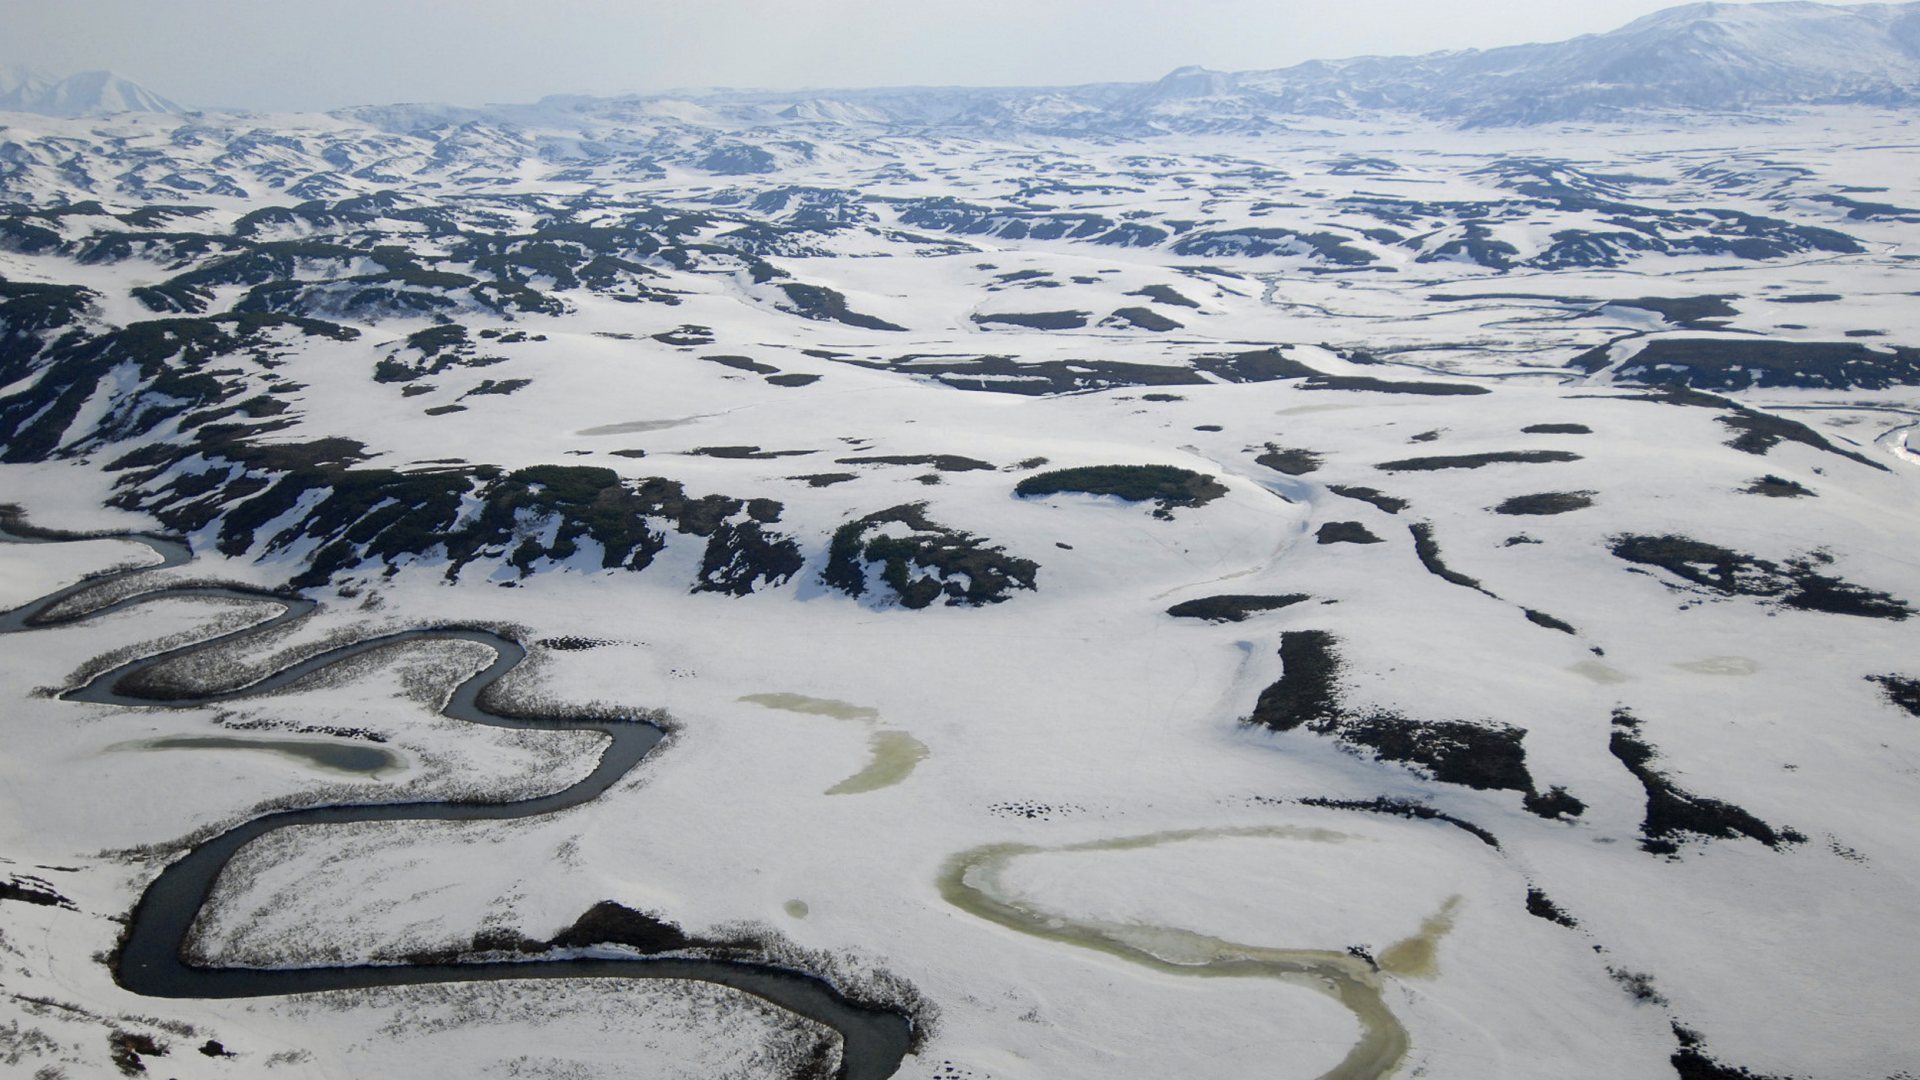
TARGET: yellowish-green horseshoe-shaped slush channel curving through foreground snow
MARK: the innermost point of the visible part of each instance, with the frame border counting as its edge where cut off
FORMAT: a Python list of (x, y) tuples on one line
[(972, 881)]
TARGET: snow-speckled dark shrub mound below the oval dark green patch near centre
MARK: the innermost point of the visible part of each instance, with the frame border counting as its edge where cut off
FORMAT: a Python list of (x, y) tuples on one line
[(928, 562)]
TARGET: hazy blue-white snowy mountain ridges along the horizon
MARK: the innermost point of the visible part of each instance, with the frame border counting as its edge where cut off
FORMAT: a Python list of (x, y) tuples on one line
[(1698, 59)]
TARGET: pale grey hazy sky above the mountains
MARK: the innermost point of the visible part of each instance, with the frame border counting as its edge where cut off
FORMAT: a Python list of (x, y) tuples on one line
[(281, 55)]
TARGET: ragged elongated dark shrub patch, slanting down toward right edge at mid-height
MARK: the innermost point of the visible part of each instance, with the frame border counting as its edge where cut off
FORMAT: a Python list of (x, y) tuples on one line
[(1798, 583)]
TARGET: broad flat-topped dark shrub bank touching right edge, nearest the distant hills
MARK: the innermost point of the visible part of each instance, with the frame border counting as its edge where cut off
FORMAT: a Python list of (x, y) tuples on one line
[(1725, 364)]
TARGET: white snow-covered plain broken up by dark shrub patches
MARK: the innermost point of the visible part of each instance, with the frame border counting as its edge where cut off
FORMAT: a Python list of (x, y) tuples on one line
[(1076, 722)]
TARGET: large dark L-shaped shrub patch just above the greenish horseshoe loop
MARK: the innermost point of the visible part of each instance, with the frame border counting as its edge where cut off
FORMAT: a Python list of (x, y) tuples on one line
[(1452, 752)]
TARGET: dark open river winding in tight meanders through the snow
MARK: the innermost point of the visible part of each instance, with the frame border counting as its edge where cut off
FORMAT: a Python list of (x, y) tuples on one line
[(875, 1041)]
